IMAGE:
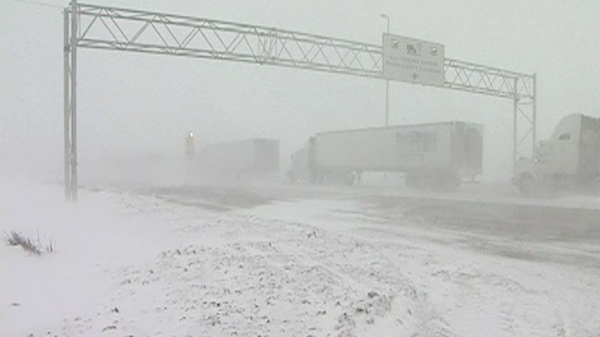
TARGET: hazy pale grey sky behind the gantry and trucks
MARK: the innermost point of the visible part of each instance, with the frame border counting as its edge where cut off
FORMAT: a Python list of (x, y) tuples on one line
[(142, 103)]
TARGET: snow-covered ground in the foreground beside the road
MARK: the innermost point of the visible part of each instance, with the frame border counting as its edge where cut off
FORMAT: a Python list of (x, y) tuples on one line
[(128, 264)]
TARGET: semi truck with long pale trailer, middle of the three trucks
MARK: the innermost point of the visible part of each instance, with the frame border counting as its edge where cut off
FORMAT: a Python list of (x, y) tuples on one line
[(435, 155)]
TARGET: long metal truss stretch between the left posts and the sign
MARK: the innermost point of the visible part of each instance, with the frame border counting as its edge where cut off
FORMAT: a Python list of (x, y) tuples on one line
[(157, 33)]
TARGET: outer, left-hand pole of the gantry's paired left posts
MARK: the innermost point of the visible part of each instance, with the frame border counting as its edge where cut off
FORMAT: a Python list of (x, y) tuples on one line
[(67, 158)]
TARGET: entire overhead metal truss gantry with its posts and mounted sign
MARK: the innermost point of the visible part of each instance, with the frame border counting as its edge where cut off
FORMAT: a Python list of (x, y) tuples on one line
[(414, 61)]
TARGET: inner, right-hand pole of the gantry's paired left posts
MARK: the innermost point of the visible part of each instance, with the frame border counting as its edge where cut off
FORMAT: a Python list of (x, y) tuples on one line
[(74, 100)]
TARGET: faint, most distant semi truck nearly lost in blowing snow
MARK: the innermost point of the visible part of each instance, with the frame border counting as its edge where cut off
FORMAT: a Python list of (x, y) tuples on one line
[(255, 157)]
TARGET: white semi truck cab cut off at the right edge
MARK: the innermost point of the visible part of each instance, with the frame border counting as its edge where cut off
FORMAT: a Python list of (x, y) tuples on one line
[(570, 159)]
